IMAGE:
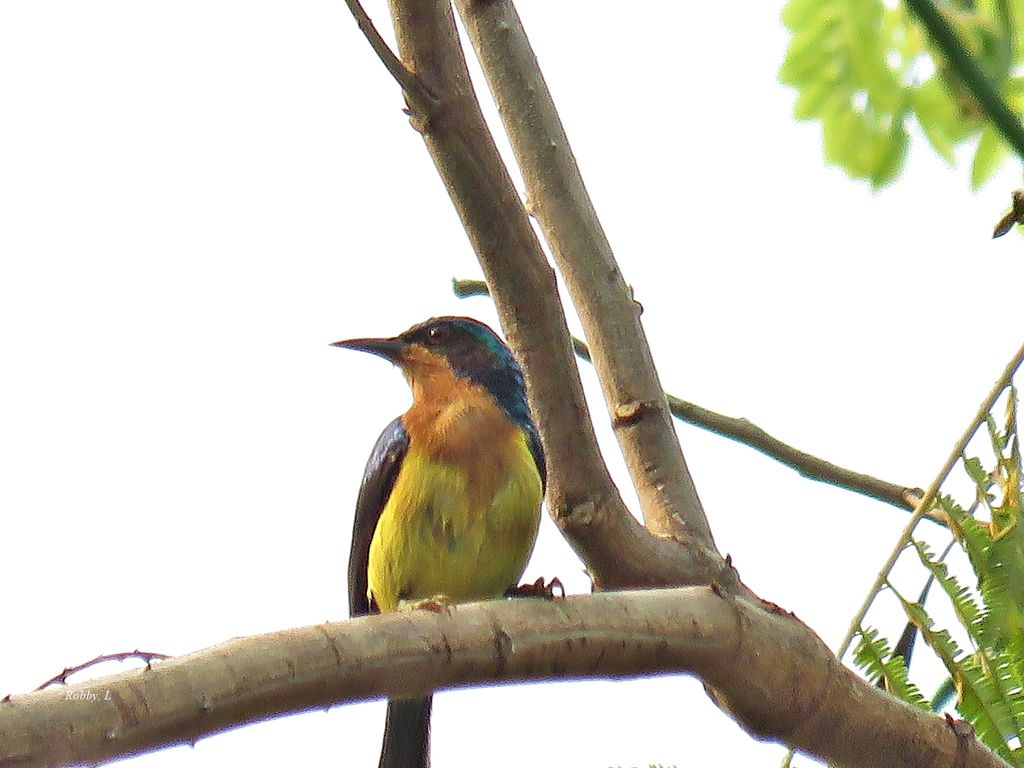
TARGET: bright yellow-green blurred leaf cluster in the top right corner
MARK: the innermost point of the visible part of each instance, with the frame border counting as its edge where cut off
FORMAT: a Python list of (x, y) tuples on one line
[(872, 59)]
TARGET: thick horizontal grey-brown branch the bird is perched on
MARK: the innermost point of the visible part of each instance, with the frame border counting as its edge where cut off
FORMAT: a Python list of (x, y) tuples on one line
[(776, 676)]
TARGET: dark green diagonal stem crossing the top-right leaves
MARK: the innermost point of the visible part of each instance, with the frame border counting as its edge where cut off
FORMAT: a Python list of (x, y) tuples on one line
[(970, 73)]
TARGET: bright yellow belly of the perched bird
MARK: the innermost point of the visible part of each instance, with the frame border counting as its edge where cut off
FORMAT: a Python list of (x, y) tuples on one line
[(438, 537)]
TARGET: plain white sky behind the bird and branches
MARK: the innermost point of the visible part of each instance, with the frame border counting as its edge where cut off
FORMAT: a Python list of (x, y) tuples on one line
[(196, 198)]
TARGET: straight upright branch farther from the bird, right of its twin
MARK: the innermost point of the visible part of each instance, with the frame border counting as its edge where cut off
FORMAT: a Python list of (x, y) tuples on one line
[(611, 317)]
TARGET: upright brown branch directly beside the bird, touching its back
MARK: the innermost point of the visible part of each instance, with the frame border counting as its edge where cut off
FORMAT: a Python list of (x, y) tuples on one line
[(584, 501)]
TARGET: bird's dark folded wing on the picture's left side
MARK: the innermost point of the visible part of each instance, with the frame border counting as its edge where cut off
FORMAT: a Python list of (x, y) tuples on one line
[(382, 470)]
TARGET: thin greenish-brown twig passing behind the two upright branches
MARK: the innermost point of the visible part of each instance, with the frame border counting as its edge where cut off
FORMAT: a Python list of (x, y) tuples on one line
[(751, 435)]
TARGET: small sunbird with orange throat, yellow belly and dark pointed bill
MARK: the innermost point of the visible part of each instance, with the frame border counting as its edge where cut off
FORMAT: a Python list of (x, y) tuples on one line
[(451, 498)]
